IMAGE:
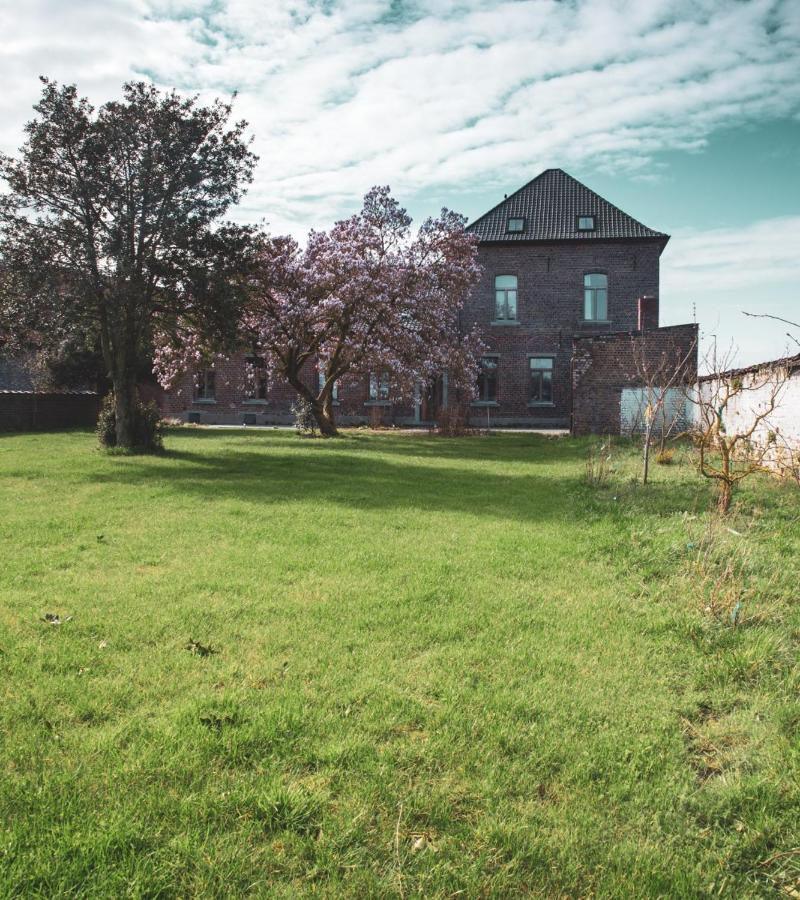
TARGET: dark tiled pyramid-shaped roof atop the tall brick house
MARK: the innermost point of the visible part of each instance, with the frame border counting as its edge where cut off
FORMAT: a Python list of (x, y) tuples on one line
[(550, 206)]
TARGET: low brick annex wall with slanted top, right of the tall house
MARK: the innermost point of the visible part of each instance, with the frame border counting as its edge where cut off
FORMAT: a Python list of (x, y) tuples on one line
[(606, 365)]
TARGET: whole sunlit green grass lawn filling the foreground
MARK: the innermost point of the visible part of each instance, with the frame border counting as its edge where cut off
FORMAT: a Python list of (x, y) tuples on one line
[(441, 667)]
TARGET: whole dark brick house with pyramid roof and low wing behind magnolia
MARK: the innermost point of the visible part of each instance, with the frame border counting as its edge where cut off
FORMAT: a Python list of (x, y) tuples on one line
[(565, 273)]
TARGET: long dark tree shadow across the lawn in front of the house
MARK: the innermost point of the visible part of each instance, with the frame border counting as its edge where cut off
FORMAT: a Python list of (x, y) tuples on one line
[(369, 474)]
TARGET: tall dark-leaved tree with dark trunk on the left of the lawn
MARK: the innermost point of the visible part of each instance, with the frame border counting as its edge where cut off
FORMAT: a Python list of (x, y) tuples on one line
[(111, 227)]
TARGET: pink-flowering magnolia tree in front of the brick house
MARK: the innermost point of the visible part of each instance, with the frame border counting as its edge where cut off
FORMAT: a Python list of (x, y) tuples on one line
[(368, 295)]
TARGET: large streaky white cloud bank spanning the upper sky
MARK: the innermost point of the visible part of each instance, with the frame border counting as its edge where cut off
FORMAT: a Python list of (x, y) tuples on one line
[(431, 97)]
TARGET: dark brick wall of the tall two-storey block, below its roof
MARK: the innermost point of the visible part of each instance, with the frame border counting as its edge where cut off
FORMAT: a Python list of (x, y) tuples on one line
[(550, 313)]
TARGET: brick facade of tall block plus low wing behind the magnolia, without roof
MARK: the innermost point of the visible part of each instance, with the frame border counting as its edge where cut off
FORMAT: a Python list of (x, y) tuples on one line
[(549, 316)]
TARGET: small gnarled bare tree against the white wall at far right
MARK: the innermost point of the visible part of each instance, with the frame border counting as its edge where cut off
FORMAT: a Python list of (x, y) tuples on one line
[(732, 431)]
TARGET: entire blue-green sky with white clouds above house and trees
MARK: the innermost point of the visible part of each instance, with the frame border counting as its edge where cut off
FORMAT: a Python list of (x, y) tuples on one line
[(684, 113)]
